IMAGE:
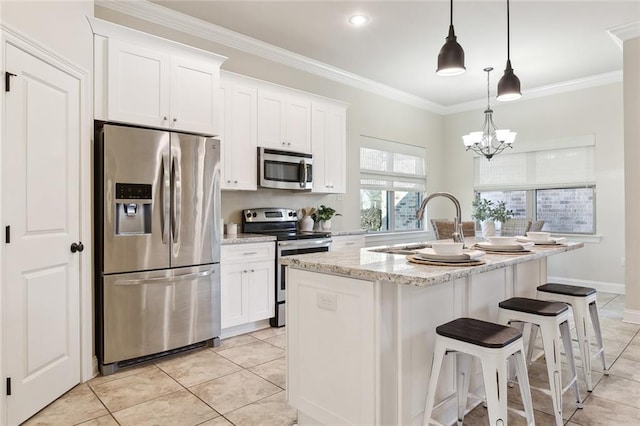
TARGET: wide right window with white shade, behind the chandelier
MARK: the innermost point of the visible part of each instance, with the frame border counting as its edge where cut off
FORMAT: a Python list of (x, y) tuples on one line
[(556, 185)]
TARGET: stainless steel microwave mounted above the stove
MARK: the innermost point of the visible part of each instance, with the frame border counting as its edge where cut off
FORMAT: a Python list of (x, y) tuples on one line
[(285, 169)]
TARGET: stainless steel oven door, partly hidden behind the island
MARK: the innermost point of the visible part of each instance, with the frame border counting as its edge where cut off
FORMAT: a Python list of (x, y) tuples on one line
[(291, 248)]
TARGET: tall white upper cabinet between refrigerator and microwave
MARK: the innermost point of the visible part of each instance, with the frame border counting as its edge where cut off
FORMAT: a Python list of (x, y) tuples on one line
[(238, 133)]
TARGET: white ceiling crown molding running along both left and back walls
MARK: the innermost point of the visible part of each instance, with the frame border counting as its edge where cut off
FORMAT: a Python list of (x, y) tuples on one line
[(169, 18)]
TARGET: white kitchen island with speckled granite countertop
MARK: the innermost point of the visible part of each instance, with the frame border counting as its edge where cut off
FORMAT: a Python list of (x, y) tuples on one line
[(361, 328)]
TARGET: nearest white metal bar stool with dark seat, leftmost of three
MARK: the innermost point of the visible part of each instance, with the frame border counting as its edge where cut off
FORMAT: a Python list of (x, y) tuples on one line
[(493, 344)]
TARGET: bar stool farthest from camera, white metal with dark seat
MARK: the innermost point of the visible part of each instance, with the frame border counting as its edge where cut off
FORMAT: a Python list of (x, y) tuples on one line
[(582, 300)]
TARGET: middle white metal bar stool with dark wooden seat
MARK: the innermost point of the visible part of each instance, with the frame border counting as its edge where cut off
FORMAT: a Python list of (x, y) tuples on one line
[(552, 318)]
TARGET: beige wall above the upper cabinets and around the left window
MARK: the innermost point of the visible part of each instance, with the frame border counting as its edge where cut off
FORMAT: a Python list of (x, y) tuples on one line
[(368, 114)]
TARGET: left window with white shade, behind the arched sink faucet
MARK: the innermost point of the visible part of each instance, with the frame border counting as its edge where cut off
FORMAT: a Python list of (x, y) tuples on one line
[(392, 180)]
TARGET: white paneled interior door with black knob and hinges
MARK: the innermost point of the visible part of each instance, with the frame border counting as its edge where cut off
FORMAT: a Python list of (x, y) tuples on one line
[(41, 275)]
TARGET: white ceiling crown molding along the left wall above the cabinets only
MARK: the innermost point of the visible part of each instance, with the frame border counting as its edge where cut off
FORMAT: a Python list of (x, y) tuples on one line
[(190, 25)]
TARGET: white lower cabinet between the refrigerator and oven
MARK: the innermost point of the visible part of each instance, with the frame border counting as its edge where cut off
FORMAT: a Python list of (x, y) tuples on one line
[(247, 290)]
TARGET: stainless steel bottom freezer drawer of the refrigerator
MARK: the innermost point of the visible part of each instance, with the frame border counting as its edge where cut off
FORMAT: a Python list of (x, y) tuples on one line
[(150, 312)]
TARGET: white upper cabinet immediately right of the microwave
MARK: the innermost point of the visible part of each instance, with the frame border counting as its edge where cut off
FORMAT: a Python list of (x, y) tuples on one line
[(328, 137)]
